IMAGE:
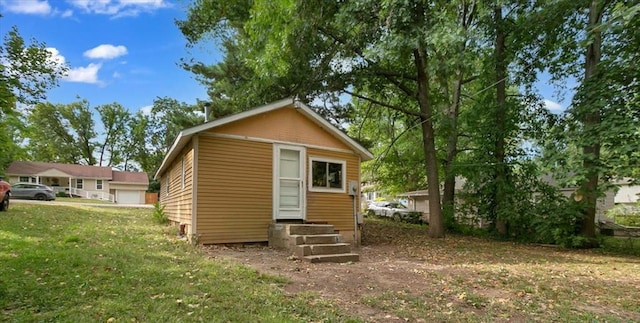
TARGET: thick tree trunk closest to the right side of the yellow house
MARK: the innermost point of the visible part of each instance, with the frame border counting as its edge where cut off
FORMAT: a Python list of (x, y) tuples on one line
[(436, 224)]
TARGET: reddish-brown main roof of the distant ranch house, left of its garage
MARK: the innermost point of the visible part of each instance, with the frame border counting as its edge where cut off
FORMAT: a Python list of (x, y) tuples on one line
[(28, 168)]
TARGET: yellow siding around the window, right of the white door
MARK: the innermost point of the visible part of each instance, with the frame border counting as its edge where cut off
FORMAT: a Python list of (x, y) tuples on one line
[(333, 208)]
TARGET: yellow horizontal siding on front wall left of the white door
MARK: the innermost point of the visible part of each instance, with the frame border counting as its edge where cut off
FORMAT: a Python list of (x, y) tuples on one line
[(234, 190)]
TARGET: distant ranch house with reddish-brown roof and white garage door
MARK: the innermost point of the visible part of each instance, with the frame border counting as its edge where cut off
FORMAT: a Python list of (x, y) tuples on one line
[(82, 180)]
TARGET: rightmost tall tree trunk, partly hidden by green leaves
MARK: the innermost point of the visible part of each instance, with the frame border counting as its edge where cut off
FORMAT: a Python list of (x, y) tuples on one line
[(591, 119)]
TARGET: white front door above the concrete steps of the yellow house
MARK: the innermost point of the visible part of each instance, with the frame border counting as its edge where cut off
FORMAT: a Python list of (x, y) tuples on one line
[(288, 182)]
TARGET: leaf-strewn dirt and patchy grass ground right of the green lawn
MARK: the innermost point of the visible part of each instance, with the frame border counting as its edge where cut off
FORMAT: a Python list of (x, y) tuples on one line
[(403, 276)]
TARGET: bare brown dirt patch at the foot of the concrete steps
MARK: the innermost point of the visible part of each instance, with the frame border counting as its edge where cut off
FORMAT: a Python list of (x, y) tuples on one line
[(379, 270)]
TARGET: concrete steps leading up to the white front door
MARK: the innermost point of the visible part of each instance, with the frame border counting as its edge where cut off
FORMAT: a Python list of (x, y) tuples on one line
[(312, 242)]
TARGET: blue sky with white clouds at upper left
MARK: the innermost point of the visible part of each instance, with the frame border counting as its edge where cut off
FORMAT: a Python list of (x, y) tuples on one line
[(124, 51)]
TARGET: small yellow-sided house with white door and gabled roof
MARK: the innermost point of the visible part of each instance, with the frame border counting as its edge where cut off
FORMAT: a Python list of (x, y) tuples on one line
[(228, 180)]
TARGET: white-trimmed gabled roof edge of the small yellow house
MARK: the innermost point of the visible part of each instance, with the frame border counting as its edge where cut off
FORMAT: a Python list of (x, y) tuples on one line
[(185, 135)]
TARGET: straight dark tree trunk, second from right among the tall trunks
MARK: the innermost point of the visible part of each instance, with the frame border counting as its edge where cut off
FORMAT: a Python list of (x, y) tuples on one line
[(499, 197)]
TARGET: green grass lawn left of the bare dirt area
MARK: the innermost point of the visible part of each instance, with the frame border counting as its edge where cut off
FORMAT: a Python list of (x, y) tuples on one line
[(82, 264)]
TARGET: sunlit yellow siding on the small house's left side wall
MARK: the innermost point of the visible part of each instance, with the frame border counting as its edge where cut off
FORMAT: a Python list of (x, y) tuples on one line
[(178, 203)]
